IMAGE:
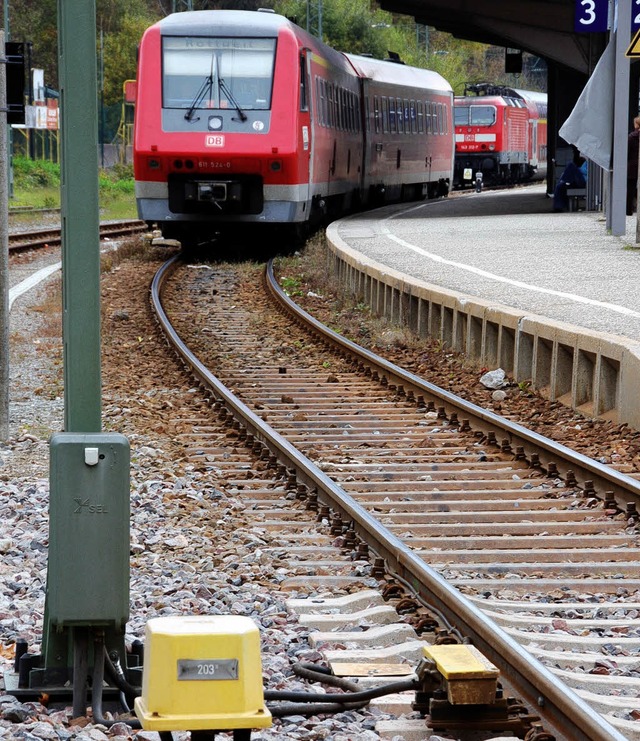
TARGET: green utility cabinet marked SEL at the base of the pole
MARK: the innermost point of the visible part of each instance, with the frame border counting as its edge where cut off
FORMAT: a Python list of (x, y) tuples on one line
[(88, 571)]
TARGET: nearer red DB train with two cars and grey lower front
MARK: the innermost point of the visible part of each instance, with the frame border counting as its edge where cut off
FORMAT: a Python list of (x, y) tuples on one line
[(244, 118)]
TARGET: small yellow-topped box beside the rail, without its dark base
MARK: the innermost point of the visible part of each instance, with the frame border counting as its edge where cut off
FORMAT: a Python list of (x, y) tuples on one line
[(470, 677)]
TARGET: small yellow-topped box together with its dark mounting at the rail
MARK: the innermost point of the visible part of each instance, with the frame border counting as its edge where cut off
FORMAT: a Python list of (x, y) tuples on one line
[(459, 690)]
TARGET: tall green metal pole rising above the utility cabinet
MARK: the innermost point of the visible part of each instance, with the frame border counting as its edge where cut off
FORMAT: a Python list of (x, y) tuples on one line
[(80, 214)]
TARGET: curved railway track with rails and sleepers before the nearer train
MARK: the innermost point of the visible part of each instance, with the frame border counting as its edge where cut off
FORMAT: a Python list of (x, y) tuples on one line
[(527, 548)]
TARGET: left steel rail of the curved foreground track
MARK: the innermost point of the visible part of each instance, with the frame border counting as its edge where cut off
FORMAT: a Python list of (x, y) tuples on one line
[(565, 711)]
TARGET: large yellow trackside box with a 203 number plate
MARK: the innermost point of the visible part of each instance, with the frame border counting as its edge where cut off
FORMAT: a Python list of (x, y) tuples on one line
[(202, 673)]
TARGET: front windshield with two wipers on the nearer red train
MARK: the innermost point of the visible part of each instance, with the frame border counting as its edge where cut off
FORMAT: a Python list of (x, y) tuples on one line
[(217, 73)]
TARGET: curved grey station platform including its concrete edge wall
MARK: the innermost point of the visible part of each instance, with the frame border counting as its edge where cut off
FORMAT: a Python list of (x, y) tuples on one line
[(549, 297)]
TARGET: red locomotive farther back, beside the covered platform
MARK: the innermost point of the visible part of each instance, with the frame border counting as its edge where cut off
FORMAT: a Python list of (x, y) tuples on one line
[(500, 132)]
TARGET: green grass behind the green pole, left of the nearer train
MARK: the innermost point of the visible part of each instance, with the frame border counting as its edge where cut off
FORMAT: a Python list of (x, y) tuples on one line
[(36, 184)]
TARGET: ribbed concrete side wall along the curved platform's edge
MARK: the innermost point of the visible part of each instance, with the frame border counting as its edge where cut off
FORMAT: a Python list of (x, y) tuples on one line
[(595, 373)]
